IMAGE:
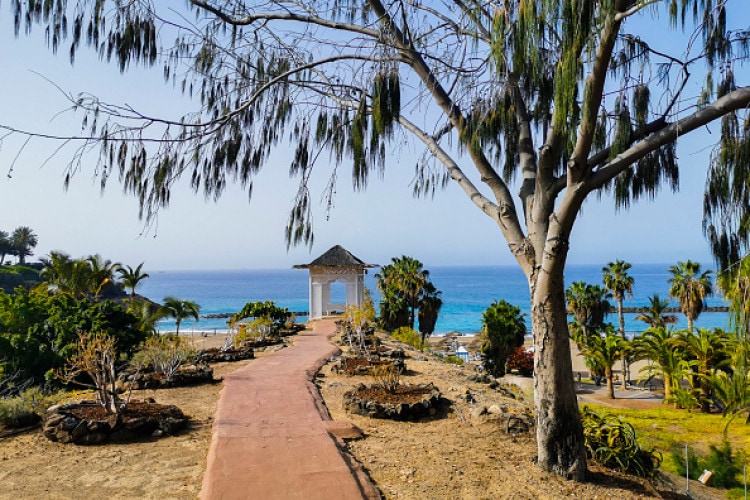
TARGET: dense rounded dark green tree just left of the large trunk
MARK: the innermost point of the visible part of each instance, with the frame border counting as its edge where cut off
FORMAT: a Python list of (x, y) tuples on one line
[(503, 330)]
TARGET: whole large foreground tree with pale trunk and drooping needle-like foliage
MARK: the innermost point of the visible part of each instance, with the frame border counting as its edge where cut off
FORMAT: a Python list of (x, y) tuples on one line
[(561, 98)]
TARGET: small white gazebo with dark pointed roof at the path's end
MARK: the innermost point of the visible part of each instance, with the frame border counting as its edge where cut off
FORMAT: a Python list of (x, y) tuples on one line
[(337, 264)]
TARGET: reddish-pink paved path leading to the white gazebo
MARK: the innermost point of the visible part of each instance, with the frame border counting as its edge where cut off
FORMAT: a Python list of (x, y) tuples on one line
[(270, 437)]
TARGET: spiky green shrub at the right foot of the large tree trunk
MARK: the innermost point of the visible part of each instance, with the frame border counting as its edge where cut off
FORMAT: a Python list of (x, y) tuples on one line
[(611, 442)]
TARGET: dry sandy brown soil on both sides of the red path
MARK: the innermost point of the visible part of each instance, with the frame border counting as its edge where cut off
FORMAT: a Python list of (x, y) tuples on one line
[(455, 455)]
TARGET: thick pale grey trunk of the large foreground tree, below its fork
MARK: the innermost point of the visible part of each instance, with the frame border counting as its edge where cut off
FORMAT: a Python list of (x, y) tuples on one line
[(560, 444)]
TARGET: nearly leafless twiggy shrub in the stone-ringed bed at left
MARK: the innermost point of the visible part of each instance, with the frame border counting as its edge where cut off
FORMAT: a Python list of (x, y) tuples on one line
[(94, 358)]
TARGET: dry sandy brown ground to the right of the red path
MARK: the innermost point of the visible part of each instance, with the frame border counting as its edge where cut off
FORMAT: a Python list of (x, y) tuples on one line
[(468, 452)]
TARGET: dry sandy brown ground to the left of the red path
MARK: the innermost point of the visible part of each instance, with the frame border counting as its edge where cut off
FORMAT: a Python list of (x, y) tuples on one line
[(172, 467)]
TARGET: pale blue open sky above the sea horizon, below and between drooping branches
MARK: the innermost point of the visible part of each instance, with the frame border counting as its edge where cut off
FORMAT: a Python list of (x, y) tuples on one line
[(382, 222)]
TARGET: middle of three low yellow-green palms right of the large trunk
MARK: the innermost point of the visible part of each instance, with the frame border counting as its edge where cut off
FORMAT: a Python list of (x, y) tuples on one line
[(659, 345)]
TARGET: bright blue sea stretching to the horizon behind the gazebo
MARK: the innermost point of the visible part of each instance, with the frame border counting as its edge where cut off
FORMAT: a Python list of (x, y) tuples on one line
[(466, 293)]
